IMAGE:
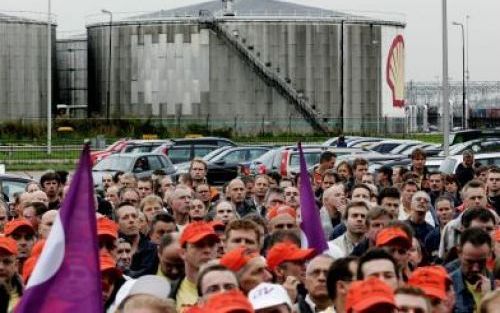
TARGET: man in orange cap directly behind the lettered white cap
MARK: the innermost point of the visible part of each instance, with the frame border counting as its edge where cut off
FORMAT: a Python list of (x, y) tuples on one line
[(249, 267)]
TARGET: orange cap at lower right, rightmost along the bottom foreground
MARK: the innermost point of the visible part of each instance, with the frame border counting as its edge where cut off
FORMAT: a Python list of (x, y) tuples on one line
[(431, 280)]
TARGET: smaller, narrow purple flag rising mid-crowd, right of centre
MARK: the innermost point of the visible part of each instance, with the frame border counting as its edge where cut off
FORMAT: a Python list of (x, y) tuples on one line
[(313, 236)]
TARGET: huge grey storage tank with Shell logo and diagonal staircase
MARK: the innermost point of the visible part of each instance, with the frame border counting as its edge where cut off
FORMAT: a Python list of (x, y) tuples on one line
[(255, 64)]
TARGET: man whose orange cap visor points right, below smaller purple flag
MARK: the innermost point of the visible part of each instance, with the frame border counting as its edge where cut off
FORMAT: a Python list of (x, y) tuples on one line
[(287, 259)]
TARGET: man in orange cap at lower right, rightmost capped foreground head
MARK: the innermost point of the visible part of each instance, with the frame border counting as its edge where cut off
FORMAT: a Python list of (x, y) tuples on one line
[(436, 285)]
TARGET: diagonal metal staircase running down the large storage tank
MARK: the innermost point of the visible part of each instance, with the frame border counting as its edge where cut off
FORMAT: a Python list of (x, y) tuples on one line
[(269, 76)]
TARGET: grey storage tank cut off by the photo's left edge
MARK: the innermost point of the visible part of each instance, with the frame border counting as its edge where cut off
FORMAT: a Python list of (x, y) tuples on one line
[(23, 65)]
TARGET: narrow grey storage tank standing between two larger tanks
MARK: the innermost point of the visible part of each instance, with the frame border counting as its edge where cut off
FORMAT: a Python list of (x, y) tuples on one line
[(72, 74)]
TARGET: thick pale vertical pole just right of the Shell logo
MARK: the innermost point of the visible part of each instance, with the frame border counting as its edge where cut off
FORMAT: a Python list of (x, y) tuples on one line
[(446, 102)]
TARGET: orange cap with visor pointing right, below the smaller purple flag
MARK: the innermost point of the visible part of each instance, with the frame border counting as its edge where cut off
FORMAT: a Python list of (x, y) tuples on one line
[(287, 251)]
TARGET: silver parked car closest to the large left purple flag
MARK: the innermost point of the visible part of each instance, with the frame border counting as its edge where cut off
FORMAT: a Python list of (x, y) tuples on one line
[(141, 164)]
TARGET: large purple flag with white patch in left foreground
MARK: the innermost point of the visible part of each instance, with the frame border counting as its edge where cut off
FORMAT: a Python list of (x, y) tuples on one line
[(67, 278)]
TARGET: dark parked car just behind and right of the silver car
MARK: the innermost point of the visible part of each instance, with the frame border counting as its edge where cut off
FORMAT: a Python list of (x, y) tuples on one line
[(185, 149)]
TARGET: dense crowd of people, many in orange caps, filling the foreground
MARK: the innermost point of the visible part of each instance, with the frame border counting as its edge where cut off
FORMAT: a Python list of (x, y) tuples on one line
[(399, 240)]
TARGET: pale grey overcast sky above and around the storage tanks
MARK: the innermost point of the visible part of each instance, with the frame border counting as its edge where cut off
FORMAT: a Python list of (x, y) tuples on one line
[(423, 31)]
